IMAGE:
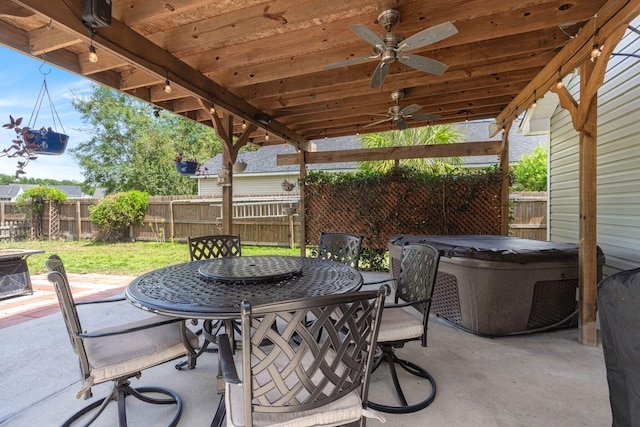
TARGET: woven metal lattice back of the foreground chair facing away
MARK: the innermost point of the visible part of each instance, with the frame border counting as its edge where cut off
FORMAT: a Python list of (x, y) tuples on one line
[(302, 354)]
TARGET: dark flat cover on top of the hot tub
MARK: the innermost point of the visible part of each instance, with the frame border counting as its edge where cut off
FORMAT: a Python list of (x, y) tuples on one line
[(495, 248)]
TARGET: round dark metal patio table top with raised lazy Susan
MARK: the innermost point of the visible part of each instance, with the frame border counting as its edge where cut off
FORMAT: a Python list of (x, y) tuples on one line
[(215, 288)]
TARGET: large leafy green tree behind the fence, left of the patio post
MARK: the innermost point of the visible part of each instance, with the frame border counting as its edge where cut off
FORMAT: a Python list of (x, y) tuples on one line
[(133, 145)]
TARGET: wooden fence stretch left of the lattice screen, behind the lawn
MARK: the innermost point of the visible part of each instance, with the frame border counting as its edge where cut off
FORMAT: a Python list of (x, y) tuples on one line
[(168, 218)]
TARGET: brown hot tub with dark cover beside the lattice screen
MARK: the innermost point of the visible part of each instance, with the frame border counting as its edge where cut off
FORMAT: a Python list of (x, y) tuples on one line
[(501, 285)]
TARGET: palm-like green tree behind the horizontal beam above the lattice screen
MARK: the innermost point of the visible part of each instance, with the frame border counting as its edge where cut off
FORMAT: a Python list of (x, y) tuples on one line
[(438, 134)]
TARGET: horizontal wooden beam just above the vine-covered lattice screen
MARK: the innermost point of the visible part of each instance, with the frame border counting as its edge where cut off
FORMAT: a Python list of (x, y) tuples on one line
[(464, 149)]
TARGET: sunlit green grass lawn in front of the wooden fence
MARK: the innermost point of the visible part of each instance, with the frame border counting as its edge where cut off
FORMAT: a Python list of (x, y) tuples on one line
[(119, 258)]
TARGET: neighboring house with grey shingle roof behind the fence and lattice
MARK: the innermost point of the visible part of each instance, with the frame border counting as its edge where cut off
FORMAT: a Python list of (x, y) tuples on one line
[(263, 177)]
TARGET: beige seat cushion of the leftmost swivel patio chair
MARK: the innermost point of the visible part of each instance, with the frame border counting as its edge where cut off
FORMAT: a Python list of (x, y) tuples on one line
[(121, 355)]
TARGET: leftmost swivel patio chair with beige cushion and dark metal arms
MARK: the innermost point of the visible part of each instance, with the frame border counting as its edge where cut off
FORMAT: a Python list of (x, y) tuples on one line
[(119, 353)]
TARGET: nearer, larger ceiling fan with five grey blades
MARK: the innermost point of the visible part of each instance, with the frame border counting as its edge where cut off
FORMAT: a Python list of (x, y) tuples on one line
[(392, 46)]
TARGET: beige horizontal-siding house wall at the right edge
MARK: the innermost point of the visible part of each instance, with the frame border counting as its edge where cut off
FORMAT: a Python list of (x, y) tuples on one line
[(618, 154)]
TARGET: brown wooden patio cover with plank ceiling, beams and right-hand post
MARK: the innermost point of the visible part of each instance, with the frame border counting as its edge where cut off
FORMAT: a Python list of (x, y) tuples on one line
[(262, 64)]
